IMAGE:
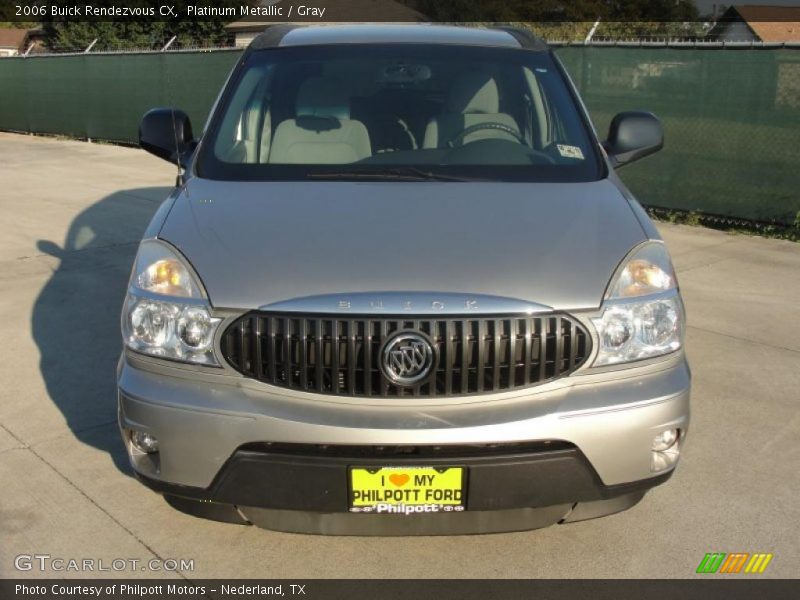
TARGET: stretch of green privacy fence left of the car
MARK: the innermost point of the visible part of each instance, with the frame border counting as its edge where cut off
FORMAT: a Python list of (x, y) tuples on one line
[(103, 96)]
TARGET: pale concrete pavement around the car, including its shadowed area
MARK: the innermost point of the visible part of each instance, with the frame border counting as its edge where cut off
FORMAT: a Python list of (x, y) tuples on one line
[(72, 215)]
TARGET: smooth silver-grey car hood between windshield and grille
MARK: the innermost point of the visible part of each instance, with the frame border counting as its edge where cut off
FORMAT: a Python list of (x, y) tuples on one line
[(256, 244)]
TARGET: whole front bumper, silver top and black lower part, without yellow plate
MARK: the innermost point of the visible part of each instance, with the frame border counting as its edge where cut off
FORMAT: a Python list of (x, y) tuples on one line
[(224, 438)]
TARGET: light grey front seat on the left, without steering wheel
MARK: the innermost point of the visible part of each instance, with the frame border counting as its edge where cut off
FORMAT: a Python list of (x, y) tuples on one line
[(322, 131)]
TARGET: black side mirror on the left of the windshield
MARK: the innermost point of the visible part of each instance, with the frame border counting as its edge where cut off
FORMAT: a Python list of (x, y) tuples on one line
[(167, 133)]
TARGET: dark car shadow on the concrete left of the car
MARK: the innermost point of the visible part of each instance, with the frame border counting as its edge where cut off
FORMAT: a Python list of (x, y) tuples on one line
[(75, 321)]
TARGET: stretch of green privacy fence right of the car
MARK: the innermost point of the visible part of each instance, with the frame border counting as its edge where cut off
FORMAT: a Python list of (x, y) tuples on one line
[(731, 123)]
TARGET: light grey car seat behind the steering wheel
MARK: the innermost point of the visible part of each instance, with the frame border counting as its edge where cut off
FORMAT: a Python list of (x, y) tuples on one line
[(473, 99)]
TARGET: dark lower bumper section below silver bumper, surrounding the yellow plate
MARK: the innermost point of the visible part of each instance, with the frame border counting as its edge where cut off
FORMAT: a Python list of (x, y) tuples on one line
[(302, 488)]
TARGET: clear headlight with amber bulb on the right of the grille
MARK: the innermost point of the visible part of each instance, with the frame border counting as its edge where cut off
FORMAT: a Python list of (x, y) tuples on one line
[(642, 313)]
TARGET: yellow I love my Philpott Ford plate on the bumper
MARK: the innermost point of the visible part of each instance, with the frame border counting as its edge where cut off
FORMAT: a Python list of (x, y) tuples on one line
[(407, 490)]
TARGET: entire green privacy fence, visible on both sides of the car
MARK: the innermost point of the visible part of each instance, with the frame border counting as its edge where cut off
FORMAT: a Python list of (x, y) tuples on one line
[(731, 116)]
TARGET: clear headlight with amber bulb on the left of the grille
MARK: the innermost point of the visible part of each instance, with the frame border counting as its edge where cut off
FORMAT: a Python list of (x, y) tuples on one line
[(166, 312)]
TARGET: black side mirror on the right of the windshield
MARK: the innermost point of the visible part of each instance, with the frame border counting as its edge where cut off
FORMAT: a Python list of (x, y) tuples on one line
[(633, 135)]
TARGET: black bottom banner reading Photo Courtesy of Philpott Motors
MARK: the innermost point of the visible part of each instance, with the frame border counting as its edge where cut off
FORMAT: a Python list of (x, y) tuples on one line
[(396, 589)]
